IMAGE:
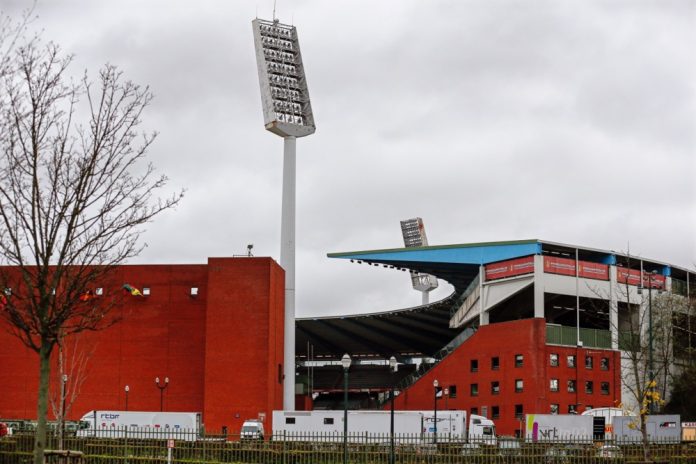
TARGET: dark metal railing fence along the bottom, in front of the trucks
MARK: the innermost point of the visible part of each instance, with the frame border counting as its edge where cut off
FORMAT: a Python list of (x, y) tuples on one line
[(329, 449)]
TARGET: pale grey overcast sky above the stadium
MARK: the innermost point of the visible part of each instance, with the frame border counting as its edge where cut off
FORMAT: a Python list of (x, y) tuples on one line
[(568, 121)]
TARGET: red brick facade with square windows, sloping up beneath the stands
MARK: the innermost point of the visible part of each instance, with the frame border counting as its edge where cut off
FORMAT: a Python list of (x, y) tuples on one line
[(492, 355)]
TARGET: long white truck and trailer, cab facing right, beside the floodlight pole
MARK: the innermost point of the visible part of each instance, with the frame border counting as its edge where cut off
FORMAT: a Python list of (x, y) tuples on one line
[(374, 426)]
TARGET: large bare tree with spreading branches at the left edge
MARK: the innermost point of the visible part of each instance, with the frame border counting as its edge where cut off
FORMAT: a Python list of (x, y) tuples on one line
[(73, 199)]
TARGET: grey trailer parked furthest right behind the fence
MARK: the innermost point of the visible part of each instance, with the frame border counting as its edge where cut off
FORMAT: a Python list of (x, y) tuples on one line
[(660, 428)]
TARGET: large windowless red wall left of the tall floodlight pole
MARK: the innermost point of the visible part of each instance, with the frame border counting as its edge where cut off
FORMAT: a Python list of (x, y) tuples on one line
[(220, 349)]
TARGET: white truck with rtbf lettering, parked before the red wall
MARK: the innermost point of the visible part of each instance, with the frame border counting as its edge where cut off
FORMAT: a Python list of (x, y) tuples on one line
[(141, 424)]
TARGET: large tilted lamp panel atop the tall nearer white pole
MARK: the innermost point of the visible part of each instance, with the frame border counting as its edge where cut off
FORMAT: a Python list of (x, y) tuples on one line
[(284, 94)]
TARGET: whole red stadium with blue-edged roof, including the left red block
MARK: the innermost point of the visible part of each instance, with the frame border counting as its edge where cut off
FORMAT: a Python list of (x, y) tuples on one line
[(531, 326)]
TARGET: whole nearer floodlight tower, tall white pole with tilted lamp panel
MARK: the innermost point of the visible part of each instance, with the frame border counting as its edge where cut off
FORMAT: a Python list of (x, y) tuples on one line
[(287, 112)]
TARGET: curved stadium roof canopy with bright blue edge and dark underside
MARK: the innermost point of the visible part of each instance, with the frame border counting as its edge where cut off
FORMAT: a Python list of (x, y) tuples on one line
[(418, 331)]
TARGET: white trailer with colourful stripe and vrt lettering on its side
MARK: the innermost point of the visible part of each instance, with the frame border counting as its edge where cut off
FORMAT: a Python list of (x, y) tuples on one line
[(557, 427)]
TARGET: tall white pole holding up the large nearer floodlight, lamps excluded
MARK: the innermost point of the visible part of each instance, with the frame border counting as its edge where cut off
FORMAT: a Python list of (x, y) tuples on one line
[(287, 262)]
